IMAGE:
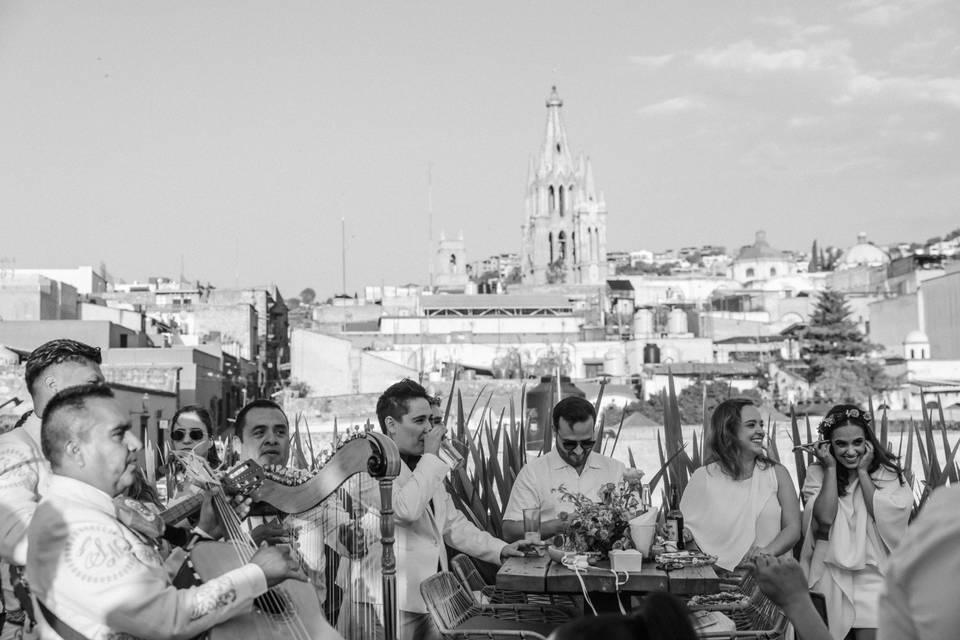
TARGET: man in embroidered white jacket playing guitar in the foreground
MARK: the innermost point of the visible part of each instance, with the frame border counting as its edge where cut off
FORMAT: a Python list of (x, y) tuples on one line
[(93, 576)]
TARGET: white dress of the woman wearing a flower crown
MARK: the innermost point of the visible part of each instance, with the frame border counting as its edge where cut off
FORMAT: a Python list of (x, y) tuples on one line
[(848, 568)]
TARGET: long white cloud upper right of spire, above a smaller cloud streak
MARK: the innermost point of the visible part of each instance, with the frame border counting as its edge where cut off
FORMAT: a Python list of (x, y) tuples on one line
[(750, 58)]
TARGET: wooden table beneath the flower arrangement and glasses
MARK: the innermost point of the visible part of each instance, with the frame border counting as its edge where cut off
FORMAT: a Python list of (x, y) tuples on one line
[(542, 575)]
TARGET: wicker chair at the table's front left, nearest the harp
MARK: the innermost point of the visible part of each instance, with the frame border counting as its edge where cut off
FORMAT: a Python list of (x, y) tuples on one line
[(459, 617)]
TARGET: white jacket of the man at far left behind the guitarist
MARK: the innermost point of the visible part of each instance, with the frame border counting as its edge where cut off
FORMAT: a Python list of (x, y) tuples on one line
[(24, 474)]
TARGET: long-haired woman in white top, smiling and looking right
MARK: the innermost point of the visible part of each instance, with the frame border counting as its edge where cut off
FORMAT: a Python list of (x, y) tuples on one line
[(741, 500)]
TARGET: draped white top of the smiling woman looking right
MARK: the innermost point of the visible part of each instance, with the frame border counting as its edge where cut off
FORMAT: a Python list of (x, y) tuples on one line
[(727, 517)]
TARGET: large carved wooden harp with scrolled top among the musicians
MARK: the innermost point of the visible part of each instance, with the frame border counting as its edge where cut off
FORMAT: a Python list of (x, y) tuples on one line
[(342, 516)]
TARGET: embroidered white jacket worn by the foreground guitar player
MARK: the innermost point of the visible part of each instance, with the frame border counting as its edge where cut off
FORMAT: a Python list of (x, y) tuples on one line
[(103, 580)]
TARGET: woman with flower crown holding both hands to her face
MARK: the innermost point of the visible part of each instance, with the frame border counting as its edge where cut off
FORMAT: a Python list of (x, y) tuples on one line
[(857, 510)]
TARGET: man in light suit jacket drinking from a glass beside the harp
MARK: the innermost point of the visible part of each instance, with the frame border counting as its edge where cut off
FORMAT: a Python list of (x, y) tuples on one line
[(425, 515)]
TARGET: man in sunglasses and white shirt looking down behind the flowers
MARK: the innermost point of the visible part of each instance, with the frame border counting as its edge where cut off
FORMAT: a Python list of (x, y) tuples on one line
[(571, 463)]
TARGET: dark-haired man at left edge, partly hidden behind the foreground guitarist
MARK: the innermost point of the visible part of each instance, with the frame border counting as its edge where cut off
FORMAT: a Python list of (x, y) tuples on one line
[(24, 472)]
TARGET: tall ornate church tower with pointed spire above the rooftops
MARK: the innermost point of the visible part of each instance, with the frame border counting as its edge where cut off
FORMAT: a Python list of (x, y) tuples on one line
[(565, 232)]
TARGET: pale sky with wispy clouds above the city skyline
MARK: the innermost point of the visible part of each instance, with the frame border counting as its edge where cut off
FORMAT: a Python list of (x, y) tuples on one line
[(233, 136)]
